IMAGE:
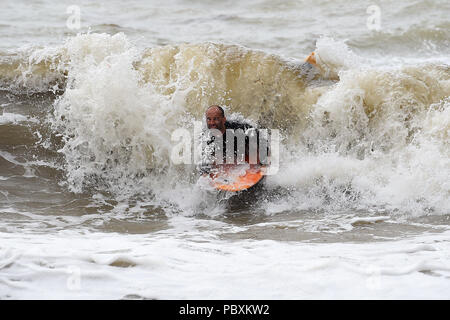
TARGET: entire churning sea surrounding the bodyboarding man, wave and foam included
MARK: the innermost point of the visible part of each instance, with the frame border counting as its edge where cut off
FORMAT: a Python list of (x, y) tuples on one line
[(92, 205)]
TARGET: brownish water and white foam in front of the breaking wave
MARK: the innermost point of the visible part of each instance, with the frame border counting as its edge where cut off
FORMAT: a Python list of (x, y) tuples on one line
[(91, 245)]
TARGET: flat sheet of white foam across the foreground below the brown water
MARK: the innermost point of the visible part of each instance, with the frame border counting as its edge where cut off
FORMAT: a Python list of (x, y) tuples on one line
[(114, 266)]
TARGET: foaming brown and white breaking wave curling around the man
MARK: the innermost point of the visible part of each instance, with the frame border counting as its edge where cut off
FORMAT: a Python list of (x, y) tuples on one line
[(354, 136)]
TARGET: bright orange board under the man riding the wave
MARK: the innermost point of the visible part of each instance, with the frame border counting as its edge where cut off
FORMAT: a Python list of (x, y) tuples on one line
[(236, 178)]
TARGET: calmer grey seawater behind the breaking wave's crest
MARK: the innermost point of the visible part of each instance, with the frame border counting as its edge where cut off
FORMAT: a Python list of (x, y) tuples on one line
[(391, 30)]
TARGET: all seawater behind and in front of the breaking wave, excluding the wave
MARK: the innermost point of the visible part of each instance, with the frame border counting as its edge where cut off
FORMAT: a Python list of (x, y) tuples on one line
[(142, 246)]
